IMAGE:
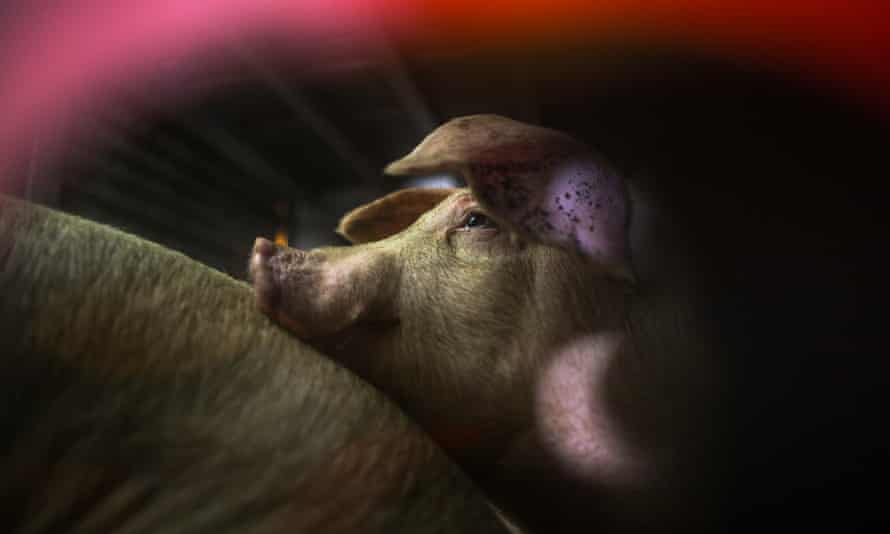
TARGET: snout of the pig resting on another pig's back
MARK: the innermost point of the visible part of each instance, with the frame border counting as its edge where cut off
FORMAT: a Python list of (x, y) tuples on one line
[(320, 292)]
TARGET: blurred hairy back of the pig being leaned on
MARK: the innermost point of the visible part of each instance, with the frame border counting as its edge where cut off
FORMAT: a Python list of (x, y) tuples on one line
[(141, 391)]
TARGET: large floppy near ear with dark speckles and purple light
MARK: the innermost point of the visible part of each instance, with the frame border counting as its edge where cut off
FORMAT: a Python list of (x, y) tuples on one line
[(540, 182)]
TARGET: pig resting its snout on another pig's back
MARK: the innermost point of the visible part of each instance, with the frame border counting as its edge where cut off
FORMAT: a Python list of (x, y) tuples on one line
[(508, 319)]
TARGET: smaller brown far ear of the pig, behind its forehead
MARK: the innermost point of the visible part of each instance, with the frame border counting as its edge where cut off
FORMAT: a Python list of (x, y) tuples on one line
[(390, 215)]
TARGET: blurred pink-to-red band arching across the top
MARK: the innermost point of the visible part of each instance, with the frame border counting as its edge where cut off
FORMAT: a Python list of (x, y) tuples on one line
[(60, 61)]
